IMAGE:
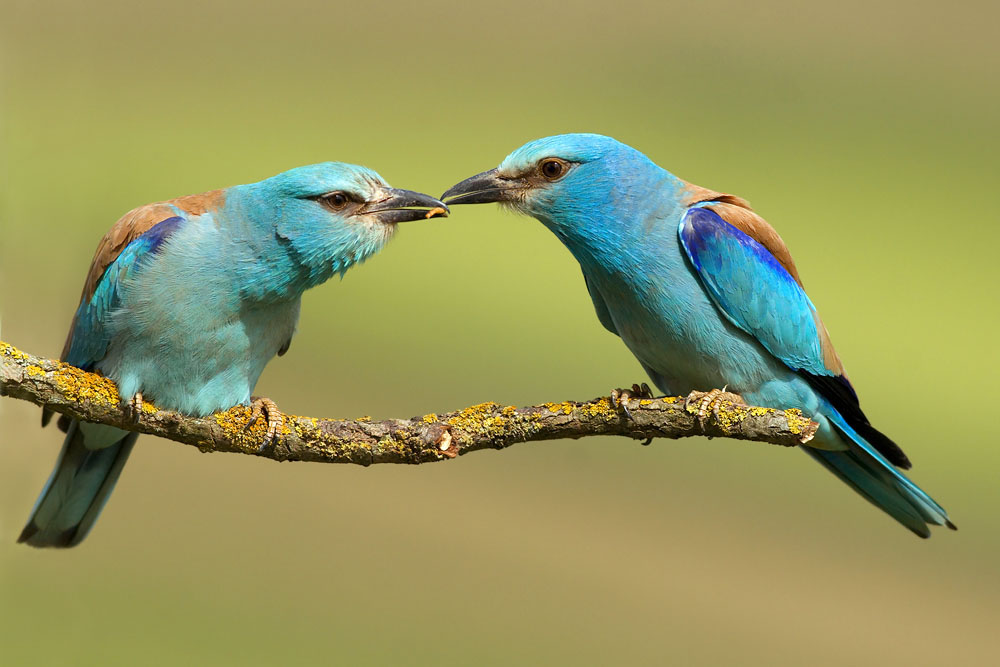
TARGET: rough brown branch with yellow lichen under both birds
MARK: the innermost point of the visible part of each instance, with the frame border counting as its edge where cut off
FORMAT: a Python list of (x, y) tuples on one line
[(434, 437)]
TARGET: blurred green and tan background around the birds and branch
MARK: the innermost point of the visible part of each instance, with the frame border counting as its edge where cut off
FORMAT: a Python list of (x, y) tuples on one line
[(866, 133)]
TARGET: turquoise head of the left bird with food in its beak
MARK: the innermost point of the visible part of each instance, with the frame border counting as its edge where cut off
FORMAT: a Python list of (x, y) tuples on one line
[(332, 215)]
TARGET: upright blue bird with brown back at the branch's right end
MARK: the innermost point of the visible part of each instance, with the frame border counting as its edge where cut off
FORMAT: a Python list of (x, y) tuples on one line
[(705, 294)]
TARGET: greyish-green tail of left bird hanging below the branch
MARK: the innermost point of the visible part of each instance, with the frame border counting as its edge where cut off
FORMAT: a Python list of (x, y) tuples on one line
[(91, 460)]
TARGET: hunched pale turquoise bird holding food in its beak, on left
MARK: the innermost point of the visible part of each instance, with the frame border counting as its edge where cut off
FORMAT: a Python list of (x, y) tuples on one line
[(188, 299)]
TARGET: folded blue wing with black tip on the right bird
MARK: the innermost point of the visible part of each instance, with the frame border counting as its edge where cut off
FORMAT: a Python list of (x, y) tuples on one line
[(756, 292)]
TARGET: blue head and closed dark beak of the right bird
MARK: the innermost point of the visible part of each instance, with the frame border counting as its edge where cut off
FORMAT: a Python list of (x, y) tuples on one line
[(586, 188)]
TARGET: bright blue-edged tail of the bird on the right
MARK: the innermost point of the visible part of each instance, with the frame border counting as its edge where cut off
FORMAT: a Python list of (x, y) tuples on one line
[(869, 473)]
